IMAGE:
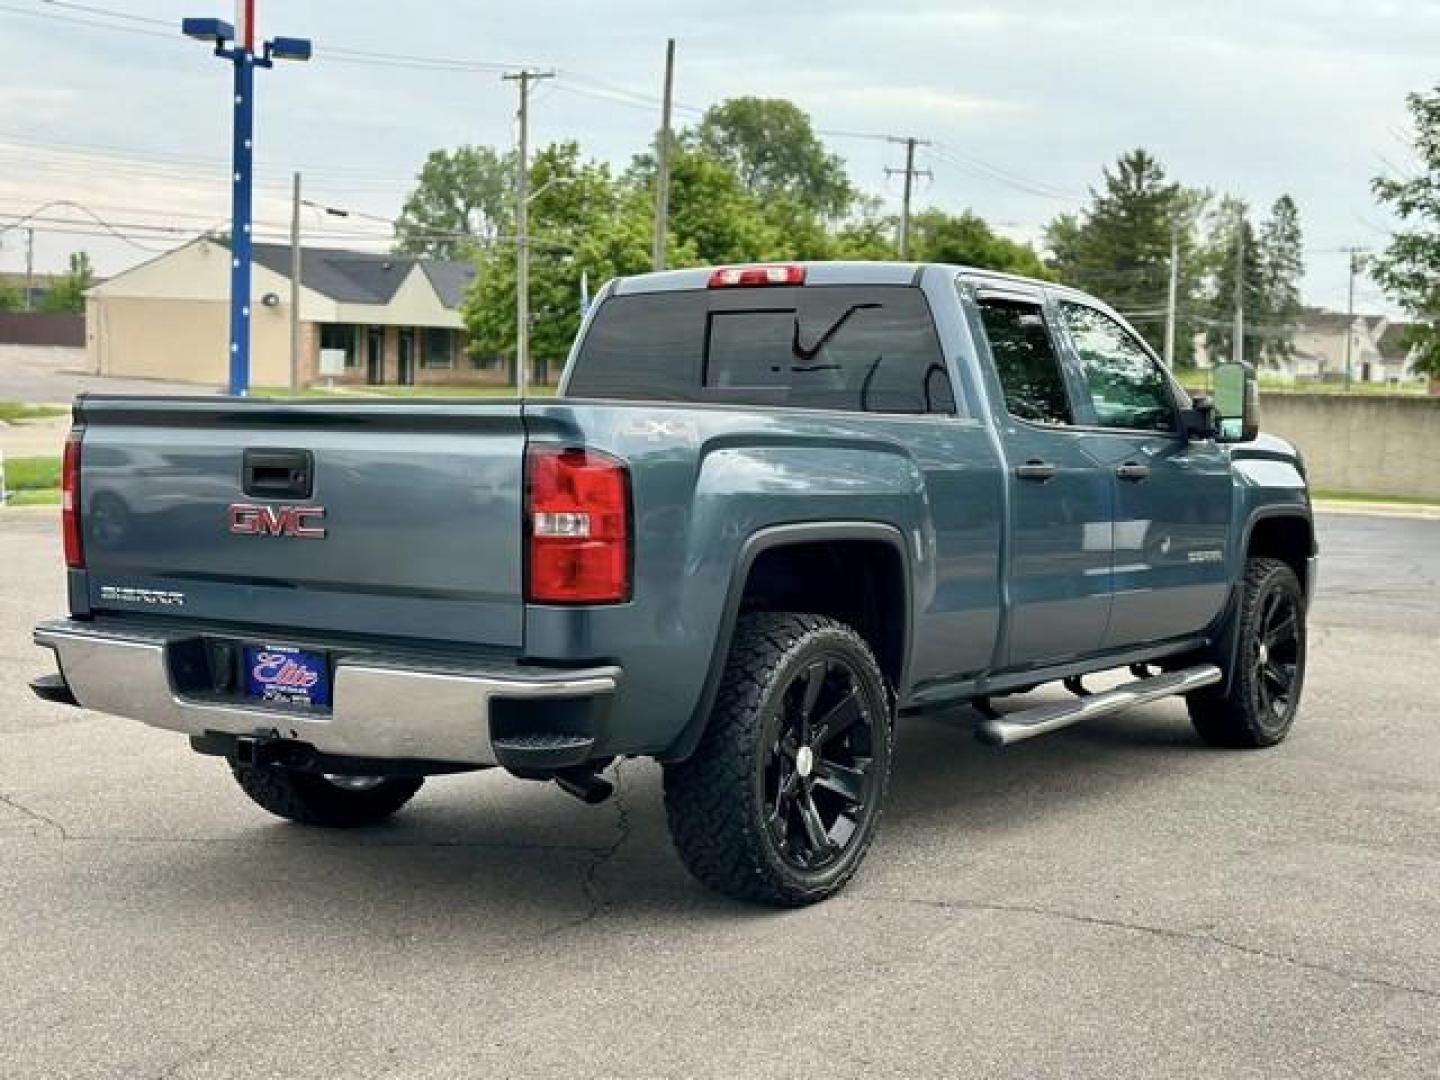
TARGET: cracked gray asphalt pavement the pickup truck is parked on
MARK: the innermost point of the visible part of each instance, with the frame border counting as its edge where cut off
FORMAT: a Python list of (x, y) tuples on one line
[(1111, 901)]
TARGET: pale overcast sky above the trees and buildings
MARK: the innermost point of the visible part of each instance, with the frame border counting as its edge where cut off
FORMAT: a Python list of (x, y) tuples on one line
[(1025, 100)]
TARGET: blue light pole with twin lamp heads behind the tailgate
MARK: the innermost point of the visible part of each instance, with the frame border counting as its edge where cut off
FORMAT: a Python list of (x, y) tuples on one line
[(243, 179)]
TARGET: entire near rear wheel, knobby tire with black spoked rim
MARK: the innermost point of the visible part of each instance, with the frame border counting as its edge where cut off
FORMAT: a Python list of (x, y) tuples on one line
[(781, 800)]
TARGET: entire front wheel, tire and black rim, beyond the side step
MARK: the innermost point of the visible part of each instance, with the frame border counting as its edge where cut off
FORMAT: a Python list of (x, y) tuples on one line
[(1265, 686)]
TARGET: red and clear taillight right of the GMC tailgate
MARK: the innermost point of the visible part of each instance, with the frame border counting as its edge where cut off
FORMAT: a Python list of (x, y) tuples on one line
[(578, 515)]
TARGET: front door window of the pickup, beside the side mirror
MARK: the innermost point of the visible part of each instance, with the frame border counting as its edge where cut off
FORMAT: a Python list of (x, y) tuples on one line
[(1127, 387)]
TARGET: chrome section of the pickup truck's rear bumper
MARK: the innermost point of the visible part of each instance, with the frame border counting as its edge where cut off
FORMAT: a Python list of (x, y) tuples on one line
[(379, 709)]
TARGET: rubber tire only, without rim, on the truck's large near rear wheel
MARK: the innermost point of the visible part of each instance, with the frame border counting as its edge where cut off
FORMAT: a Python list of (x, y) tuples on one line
[(716, 800)]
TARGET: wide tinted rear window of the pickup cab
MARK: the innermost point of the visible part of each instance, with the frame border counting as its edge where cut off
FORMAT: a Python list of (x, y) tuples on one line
[(852, 348)]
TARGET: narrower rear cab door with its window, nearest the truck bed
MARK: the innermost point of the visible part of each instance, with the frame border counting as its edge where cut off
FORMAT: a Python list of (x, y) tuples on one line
[(1061, 515)]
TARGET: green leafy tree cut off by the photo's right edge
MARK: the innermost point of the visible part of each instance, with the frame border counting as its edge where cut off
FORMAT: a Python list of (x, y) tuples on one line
[(1409, 270)]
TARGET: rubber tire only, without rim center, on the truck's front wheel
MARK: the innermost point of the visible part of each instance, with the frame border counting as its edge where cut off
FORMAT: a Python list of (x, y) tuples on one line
[(1241, 716)]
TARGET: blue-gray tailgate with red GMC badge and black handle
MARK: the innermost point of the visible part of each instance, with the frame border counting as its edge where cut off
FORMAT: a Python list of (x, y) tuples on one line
[(411, 526)]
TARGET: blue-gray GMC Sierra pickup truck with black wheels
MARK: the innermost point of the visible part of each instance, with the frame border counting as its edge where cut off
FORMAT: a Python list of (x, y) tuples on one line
[(771, 510)]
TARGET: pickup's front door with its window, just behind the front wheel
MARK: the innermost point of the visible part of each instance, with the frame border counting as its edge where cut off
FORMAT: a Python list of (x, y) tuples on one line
[(1173, 495)]
